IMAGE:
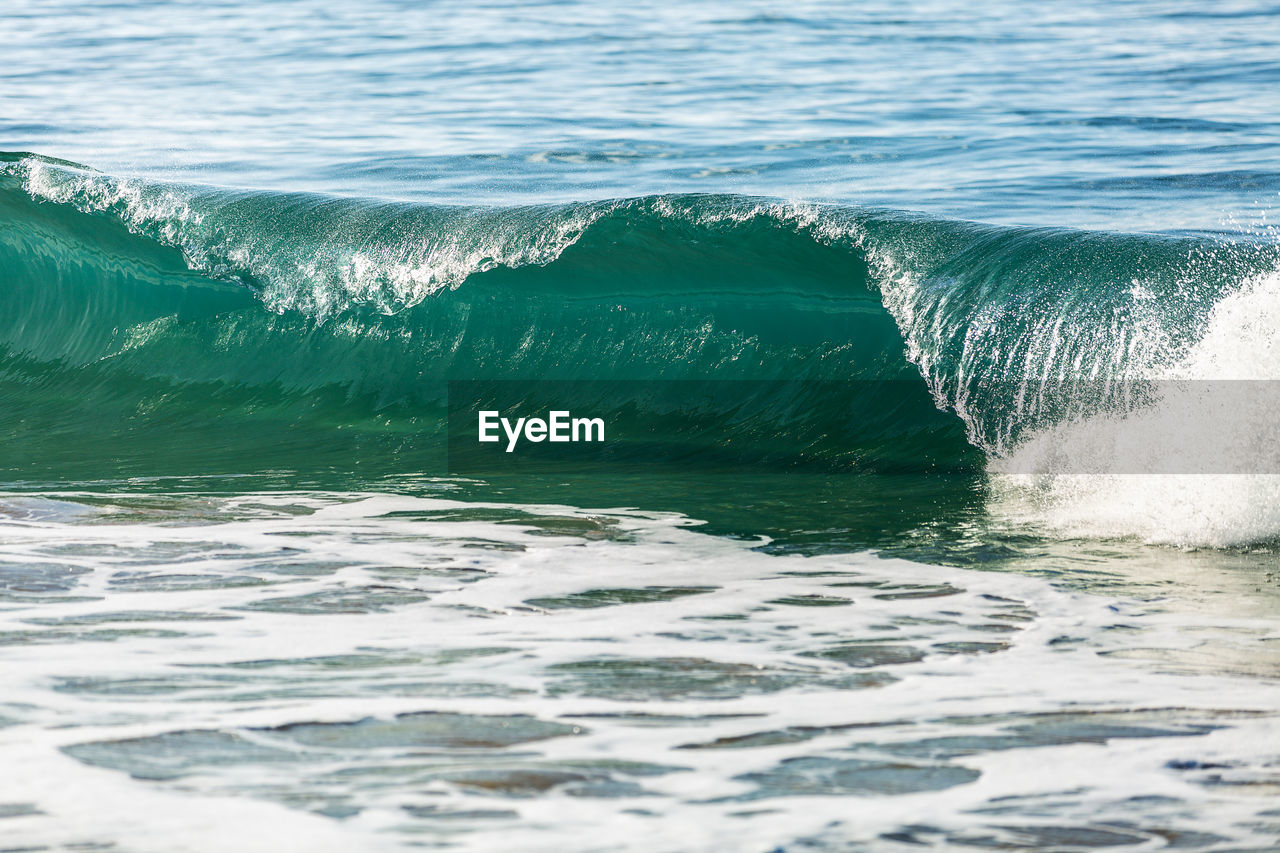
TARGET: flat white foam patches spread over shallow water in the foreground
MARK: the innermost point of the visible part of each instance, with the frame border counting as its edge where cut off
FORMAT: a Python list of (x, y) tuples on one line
[(834, 699)]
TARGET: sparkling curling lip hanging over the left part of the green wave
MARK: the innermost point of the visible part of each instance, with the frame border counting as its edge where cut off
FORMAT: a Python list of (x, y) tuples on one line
[(313, 254)]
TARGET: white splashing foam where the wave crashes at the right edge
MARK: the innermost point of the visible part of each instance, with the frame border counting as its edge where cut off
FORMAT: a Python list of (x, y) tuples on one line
[(1199, 464)]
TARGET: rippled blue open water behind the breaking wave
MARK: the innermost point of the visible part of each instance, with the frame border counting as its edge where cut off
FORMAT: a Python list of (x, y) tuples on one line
[(1121, 116)]
